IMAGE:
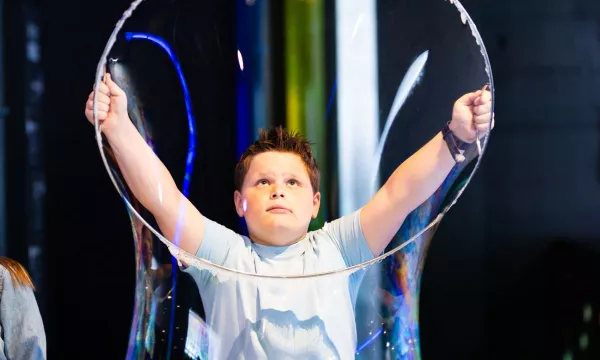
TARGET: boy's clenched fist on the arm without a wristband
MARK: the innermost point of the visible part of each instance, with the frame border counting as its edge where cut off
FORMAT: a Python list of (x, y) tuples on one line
[(112, 105)]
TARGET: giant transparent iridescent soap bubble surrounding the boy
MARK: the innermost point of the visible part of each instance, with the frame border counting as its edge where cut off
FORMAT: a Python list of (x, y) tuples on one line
[(367, 82)]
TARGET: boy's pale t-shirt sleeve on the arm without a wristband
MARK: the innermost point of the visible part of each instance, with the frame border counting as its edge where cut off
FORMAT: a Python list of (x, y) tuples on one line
[(219, 244)]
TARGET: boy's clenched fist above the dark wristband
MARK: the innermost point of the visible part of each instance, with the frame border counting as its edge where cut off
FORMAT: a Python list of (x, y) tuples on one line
[(471, 115)]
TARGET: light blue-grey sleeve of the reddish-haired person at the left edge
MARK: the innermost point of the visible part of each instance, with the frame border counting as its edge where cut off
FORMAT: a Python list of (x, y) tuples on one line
[(22, 327)]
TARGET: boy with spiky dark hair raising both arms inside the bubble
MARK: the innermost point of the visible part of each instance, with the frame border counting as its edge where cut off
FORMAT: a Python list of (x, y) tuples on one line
[(277, 192)]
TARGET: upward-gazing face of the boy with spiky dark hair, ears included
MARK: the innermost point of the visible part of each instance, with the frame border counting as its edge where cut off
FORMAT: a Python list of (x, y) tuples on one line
[(277, 199)]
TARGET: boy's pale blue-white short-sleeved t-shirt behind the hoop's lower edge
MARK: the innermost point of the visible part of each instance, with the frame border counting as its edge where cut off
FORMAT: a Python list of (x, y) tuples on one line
[(312, 318)]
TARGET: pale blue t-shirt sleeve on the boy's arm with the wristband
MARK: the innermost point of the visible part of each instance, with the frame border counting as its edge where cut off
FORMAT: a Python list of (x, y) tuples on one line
[(348, 236)]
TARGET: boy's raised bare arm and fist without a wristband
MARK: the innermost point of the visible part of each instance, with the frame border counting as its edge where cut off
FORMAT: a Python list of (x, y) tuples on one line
[(146, 176)]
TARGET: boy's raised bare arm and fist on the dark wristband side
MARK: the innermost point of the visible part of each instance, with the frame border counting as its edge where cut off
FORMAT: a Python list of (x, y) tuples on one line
[(416, 179)]
